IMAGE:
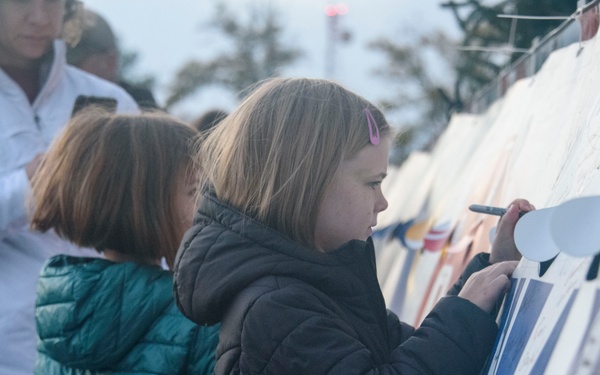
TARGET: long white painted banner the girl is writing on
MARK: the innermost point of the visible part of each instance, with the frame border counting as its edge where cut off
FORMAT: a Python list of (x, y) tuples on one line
[(540, 142)]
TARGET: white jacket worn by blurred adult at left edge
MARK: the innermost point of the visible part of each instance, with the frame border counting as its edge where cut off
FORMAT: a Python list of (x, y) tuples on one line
[(26, 130)]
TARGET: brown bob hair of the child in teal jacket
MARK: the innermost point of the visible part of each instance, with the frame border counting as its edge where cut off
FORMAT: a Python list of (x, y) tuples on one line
[(109, 182)]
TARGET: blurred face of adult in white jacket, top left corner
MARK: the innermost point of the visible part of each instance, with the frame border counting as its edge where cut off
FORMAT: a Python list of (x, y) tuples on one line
[(27, 29)]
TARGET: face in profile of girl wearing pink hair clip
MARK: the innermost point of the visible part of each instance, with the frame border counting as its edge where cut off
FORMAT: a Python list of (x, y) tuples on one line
[(354, 199)]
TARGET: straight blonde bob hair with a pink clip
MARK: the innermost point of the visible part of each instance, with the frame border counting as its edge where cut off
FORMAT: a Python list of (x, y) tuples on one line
[(275, 156)]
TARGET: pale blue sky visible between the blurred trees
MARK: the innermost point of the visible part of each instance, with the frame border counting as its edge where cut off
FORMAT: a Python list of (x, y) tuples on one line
[(168, 33)]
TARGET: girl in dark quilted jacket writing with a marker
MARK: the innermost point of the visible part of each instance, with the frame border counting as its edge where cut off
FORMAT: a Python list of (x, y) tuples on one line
[(281, 253)]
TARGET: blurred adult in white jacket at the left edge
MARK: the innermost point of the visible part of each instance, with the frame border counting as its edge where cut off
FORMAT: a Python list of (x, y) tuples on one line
[(38, 91)]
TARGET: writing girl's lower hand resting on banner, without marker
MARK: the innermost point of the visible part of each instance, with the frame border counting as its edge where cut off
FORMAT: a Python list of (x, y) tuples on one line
[(484, 288)]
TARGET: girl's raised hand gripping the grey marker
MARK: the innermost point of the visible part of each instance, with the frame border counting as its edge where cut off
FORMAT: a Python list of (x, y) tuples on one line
[(503, 247)]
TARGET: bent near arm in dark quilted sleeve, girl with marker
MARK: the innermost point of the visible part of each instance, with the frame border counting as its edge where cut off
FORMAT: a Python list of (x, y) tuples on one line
[(298, 334)]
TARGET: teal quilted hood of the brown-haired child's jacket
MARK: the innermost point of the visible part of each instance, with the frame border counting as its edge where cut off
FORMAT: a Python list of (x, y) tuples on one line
[(90, 312)]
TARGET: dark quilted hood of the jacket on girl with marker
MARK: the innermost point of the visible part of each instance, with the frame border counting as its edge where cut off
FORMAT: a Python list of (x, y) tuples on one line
[(225, 251)]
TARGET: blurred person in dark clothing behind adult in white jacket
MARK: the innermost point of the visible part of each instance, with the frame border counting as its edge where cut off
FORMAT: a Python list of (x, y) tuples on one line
[(97, 53)]
